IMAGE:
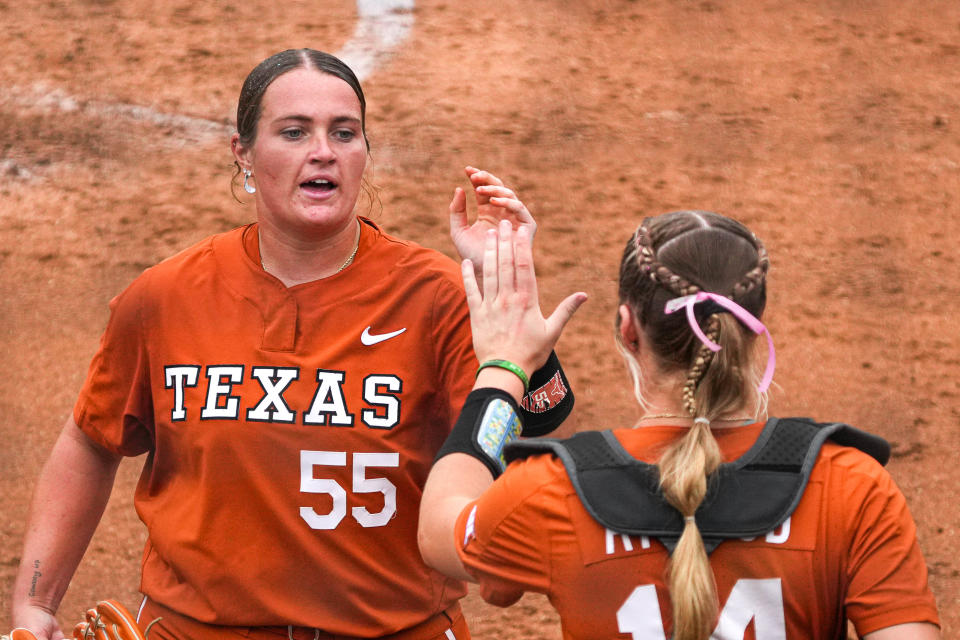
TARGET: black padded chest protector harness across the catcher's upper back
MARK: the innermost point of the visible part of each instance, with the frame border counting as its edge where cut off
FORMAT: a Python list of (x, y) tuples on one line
[(748, 497)]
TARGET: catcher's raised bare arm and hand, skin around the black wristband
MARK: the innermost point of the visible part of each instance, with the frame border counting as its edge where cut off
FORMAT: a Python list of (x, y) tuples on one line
[(507, 325)]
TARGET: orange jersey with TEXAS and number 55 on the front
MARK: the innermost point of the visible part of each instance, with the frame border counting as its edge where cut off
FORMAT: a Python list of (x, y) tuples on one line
[(289, 432)]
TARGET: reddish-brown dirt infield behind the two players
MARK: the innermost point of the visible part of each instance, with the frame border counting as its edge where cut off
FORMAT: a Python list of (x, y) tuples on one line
[(828, 126)]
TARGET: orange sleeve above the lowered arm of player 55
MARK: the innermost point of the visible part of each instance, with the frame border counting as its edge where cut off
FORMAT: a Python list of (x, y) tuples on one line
[(115, 407)]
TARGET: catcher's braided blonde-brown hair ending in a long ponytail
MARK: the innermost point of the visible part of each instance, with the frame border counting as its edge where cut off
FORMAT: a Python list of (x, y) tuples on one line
[(669, 256)]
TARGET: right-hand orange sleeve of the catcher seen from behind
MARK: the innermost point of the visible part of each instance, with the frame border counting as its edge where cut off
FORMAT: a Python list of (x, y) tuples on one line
[(886, 571)]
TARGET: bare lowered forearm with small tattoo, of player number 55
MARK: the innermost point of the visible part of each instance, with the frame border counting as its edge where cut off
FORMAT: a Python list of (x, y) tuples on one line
[(71, 494)]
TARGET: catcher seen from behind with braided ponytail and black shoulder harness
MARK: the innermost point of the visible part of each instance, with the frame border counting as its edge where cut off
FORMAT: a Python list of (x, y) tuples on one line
[(840, 545)]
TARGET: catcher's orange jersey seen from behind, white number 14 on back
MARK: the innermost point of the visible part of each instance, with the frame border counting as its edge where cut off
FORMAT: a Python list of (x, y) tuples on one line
[(849, 550)]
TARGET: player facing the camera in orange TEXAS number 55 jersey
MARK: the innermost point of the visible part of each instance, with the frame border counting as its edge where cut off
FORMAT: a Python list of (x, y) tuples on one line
[(290, 382)]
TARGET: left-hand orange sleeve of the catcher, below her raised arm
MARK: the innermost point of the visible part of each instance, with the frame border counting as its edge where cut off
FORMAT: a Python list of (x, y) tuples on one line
[(503, 537)]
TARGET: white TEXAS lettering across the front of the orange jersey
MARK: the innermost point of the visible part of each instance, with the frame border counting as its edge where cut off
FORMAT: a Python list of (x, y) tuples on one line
[(224, 391)]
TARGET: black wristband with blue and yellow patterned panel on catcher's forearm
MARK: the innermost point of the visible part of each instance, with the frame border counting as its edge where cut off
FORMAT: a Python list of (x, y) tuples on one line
[(490, 418)]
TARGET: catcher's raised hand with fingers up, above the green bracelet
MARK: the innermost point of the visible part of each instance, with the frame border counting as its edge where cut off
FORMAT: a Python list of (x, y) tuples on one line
[(505, 318)]
